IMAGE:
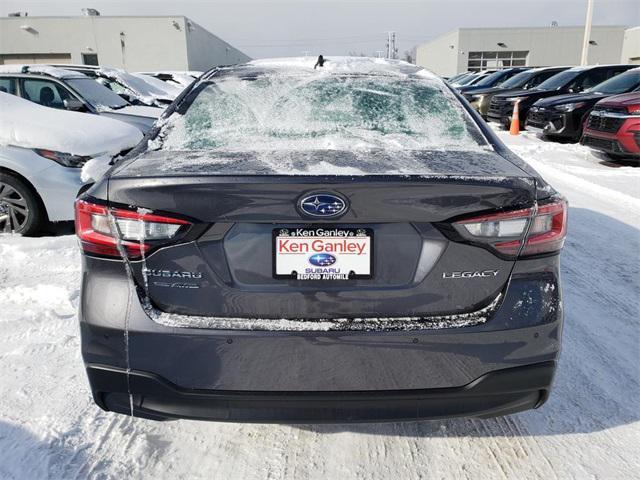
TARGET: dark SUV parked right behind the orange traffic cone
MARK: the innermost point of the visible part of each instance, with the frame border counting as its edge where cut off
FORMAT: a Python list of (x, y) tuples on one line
[(573, 80)]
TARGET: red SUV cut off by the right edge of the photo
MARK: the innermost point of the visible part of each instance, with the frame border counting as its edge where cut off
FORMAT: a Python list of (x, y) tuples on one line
[(613, 126)]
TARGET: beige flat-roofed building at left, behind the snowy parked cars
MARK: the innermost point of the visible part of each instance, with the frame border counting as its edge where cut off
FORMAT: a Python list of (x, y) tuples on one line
[(134, 43)]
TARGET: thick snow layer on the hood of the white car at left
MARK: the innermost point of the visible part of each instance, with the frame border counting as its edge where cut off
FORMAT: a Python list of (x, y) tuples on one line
[(29, 125)]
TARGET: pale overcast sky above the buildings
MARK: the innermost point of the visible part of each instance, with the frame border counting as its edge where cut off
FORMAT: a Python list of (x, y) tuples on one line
[(264, 28)]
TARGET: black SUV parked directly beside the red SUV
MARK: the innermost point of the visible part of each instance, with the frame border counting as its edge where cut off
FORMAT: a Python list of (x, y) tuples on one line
[(563, 116)]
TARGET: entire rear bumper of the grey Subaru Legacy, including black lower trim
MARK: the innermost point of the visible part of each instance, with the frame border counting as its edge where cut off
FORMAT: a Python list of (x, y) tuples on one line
[(117, 333)]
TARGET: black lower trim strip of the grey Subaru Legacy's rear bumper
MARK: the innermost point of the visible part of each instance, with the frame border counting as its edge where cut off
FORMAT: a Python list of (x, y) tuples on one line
[(496, 393)]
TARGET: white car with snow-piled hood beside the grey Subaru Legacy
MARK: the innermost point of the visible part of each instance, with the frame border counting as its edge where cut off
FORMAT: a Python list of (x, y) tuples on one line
[(42, 154)]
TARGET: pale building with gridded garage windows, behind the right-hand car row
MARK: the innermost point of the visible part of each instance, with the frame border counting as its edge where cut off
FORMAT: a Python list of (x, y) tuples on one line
[(482, 48)]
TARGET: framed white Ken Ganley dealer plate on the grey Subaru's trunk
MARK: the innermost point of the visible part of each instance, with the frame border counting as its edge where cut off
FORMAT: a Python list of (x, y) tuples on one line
[(323, 253)]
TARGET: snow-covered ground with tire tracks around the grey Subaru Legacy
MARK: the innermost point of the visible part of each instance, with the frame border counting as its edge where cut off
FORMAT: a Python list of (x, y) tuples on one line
[(49, 427)]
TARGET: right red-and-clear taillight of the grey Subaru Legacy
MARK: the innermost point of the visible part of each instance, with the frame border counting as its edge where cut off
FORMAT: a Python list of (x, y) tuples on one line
[(522, 232)]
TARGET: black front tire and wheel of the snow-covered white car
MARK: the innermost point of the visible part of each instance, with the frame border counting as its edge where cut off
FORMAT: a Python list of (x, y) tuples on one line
[(21, 210)]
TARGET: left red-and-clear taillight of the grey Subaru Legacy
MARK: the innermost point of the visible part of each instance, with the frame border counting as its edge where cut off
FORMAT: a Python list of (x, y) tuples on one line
[(136, 231)]
